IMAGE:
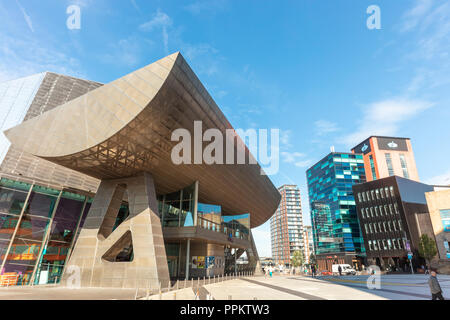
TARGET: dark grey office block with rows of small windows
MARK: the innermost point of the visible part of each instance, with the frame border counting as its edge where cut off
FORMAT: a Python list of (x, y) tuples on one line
[(393, 214)]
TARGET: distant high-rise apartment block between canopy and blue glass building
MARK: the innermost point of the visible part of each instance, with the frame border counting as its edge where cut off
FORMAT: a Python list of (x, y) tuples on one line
[(286, 225)]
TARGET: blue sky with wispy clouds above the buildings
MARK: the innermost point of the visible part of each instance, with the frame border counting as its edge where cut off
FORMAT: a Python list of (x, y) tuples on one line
[(310, 68)]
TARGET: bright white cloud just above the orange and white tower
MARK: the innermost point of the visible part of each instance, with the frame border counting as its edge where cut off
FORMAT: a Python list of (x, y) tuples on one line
[(384, 118)]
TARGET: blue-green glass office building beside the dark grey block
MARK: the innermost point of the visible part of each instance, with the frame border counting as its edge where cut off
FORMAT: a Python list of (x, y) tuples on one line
[(333, 209)]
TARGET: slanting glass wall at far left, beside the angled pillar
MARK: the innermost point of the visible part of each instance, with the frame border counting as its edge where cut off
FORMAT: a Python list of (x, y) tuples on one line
[(37, 229)]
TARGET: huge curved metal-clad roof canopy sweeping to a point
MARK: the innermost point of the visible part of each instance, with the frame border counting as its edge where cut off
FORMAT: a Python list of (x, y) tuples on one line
[(125, 127)]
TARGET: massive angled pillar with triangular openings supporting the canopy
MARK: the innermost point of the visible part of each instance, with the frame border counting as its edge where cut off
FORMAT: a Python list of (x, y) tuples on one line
[(98, 245)]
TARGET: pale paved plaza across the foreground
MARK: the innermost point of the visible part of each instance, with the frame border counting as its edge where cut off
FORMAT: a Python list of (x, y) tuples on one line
[(392, 287)]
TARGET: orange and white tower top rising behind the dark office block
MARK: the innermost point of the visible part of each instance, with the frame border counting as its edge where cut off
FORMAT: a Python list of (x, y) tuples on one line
[(387, 156)]
